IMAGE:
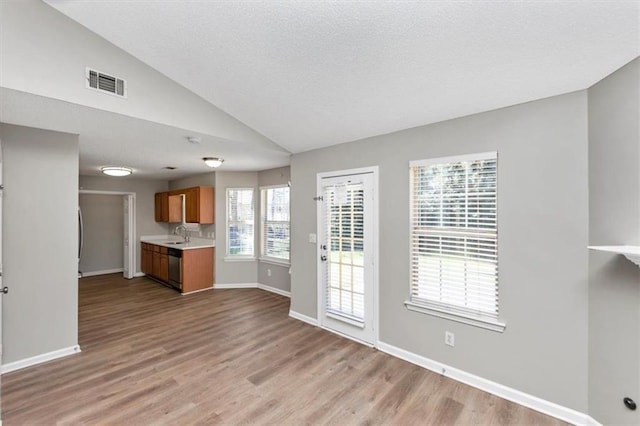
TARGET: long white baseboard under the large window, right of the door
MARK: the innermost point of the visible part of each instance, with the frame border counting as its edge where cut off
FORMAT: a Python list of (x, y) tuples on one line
[(530, 401)]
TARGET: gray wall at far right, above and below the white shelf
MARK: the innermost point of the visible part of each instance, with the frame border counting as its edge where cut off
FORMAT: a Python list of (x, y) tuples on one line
[(614, 219)]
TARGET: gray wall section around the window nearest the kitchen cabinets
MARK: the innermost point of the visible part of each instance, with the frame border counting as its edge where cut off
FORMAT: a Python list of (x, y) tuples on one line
[(232, 272)]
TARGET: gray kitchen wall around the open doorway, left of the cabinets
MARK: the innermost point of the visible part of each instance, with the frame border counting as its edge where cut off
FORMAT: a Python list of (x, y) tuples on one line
[(145, 190)]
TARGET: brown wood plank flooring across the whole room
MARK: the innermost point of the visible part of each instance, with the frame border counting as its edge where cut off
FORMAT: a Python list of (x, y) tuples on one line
[(152, 356)]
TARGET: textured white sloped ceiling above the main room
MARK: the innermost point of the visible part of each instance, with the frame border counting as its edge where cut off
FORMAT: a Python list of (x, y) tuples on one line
[(309, 74)]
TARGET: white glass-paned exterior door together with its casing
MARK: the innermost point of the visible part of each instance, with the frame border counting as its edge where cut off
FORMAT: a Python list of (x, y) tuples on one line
[(347, 253)]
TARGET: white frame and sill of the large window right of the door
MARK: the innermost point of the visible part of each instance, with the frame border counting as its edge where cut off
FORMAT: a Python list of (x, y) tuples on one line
[(446, 310)]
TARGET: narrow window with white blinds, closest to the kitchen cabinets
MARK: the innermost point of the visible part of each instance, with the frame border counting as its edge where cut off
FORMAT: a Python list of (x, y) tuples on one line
[(240, 222)]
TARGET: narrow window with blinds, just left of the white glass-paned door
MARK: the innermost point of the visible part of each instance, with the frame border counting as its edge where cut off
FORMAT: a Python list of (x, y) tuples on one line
[(275, 223)]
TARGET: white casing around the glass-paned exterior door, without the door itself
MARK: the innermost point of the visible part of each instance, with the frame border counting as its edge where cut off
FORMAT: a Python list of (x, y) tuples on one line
[(374, 170)]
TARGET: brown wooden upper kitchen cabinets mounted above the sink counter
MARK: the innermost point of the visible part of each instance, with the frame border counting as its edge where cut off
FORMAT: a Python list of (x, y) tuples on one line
[(198, 205)]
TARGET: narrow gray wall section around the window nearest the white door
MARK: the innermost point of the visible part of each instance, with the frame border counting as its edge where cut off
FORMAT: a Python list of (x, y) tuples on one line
[(280, 277)]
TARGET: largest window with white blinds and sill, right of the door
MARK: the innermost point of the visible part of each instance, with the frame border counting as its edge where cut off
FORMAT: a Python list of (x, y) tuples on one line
[(454, 237)]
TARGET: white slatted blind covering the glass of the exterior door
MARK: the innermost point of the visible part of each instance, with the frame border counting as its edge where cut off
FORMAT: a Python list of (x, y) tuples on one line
[(344, 271)]
